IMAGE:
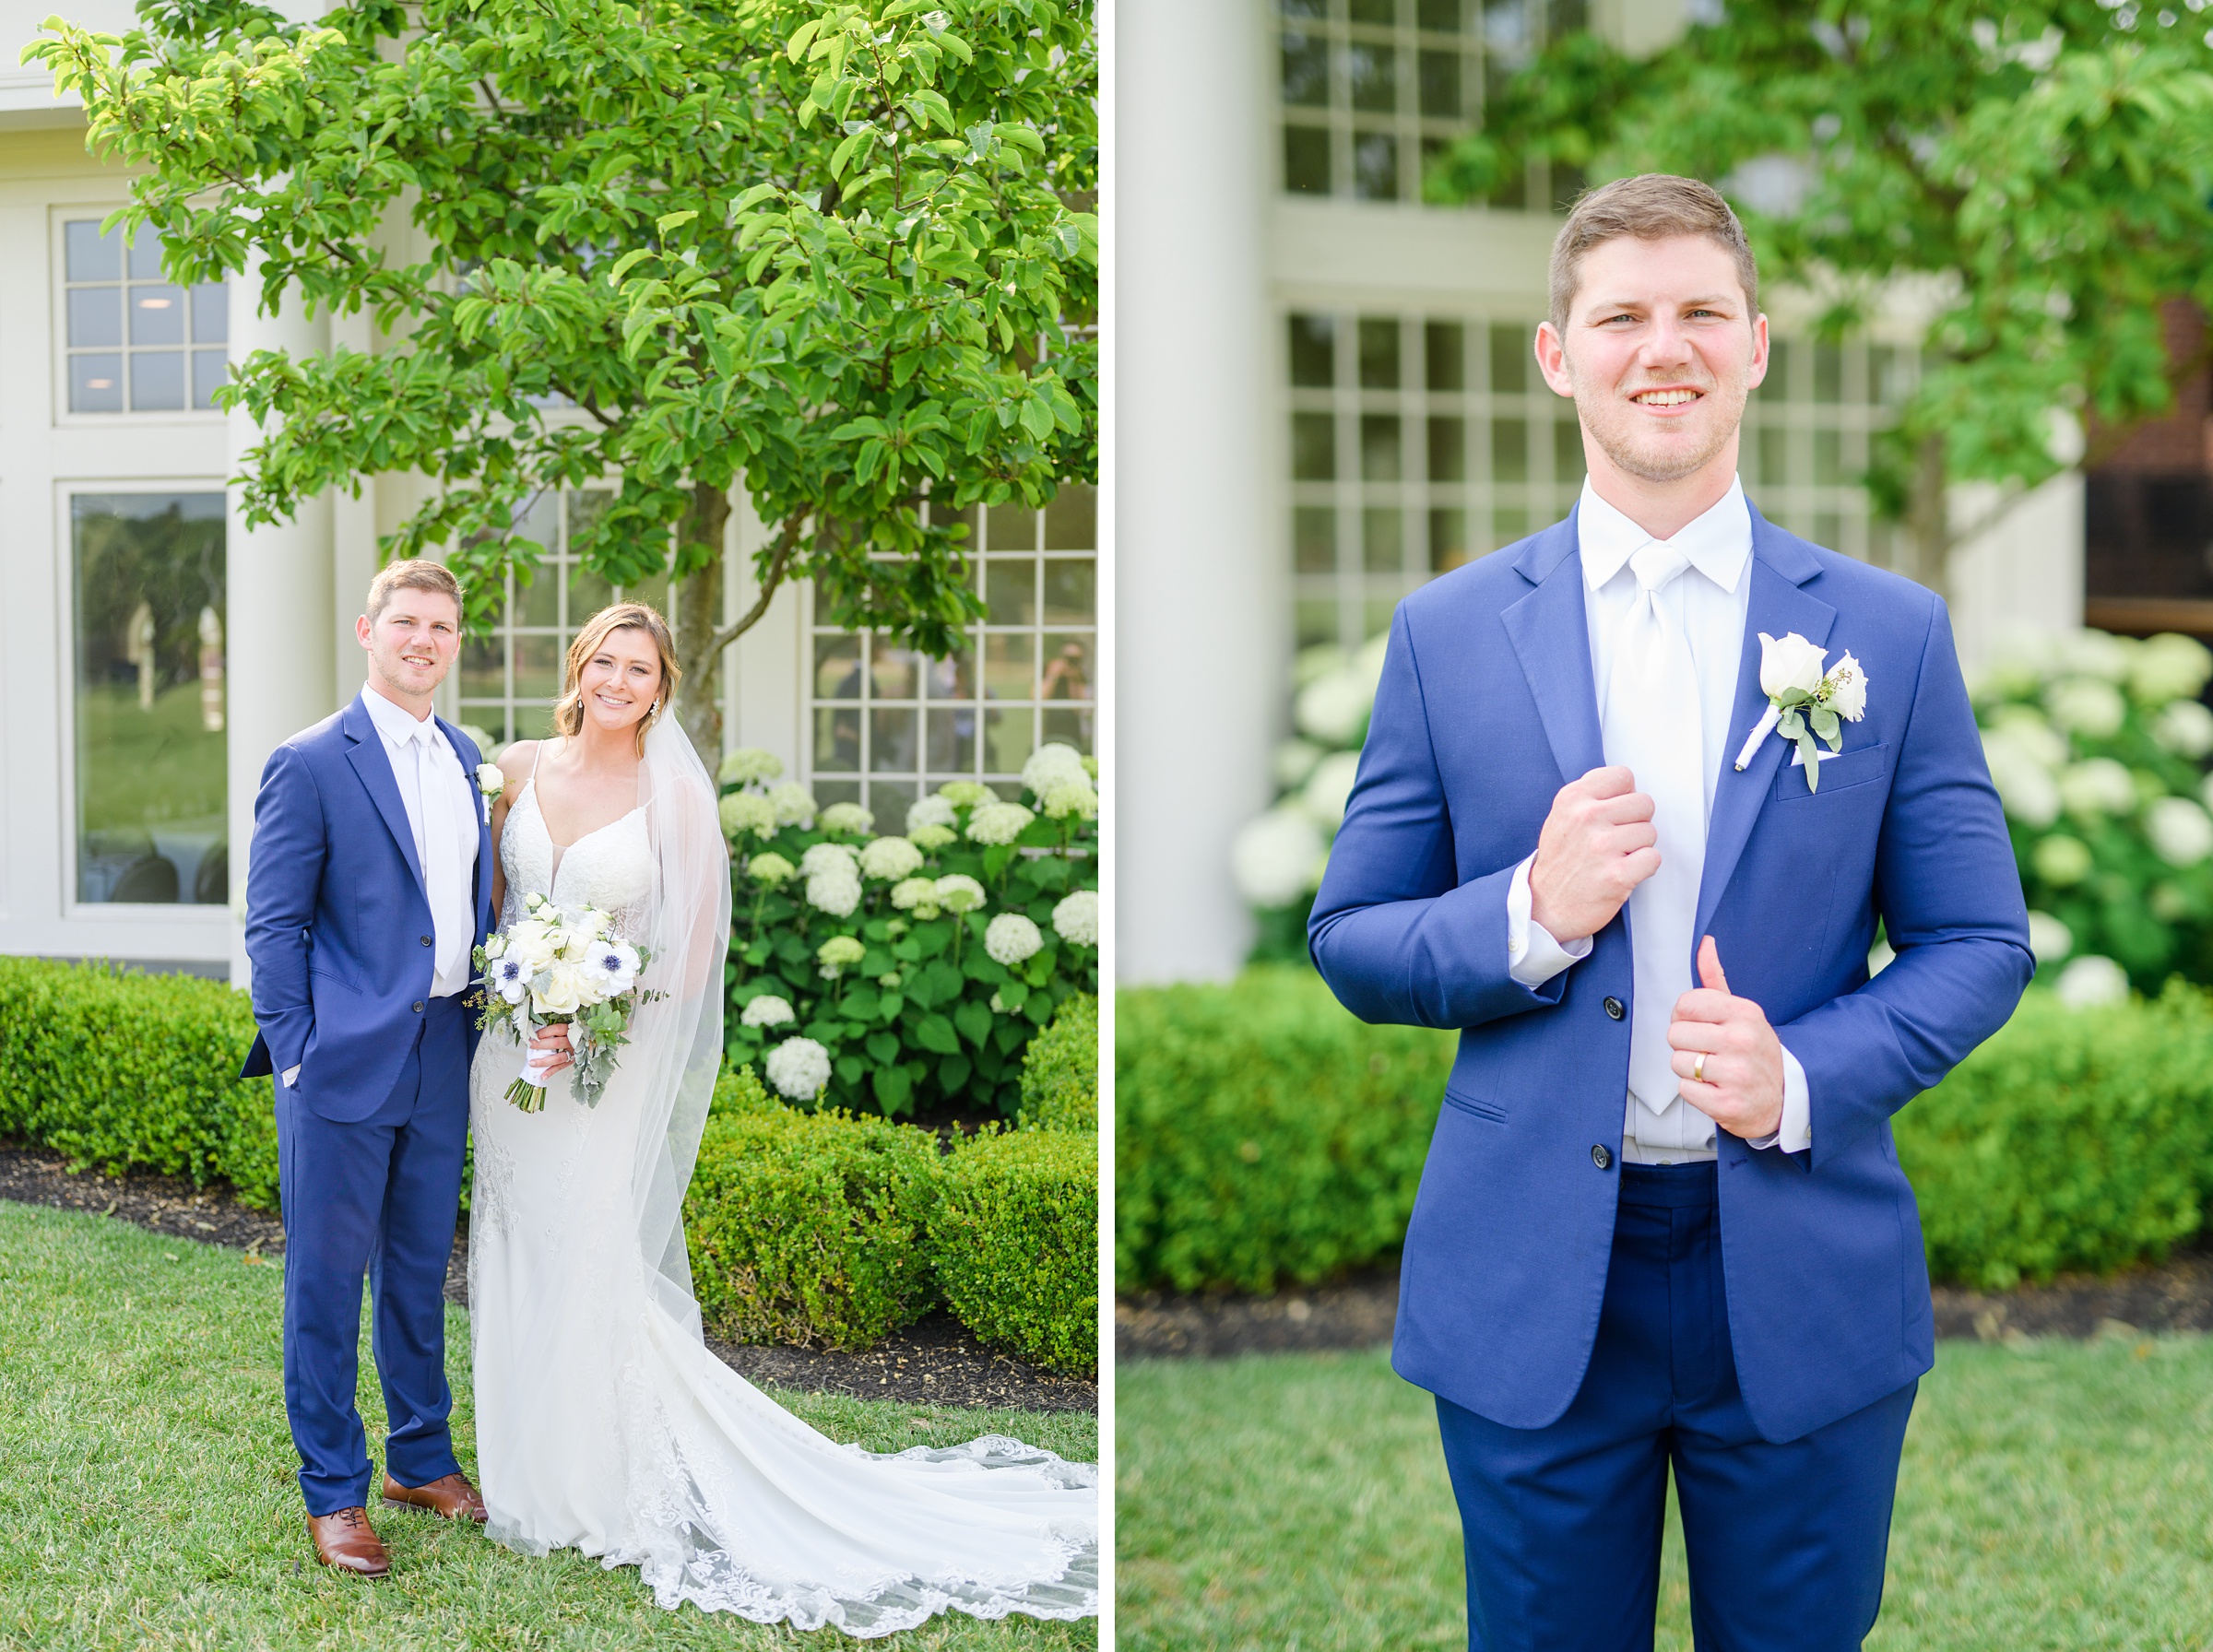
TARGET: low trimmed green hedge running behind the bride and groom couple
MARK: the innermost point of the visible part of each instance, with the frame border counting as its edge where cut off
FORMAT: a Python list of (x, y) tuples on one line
[(804, 1226)]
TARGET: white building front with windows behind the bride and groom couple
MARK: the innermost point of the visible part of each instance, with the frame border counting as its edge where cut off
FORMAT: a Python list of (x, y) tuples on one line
[(158, 649)]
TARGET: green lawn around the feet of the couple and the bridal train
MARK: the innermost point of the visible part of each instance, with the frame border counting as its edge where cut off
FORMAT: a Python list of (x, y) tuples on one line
[(147, 1492)]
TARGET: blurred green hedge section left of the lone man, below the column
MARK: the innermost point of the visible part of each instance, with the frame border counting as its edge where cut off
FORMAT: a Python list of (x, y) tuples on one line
[(1263, 1133)]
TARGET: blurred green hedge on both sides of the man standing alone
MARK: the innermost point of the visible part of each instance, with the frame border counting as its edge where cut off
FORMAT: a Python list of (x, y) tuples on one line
[(1267, 1136)]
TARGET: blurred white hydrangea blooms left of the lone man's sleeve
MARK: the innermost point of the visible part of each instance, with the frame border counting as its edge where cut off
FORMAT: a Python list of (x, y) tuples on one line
[(1280, 855)]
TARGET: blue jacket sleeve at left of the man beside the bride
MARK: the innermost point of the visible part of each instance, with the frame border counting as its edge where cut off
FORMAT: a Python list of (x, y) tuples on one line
[(284, 877)]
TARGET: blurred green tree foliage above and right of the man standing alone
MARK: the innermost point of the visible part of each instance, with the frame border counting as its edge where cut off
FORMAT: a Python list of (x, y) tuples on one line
[(2037, 169)]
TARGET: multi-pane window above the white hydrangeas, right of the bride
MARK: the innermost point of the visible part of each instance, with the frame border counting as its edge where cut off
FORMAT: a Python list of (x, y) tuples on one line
[(889, 724)]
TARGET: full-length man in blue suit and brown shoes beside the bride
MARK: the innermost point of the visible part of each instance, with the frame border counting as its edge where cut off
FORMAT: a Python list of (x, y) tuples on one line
[(368, 892)]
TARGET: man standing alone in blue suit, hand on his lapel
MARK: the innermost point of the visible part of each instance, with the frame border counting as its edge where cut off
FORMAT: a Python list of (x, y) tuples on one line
[(1663, 1224)]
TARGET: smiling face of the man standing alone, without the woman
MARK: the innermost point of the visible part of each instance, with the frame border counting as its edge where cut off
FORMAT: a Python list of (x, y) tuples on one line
[(1661, 353)]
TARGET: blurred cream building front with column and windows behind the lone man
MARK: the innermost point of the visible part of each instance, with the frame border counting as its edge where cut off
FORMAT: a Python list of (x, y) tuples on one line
[(1327, 397)]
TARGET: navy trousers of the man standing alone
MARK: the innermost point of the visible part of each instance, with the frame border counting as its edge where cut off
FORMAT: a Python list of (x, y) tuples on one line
[(1785, 1543)]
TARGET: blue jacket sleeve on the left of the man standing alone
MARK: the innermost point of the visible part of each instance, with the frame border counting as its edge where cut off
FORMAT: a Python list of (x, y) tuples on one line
[(1395, 934)]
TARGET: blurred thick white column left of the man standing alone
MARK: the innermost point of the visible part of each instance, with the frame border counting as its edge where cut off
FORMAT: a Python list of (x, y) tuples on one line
[(1198, 561)]
